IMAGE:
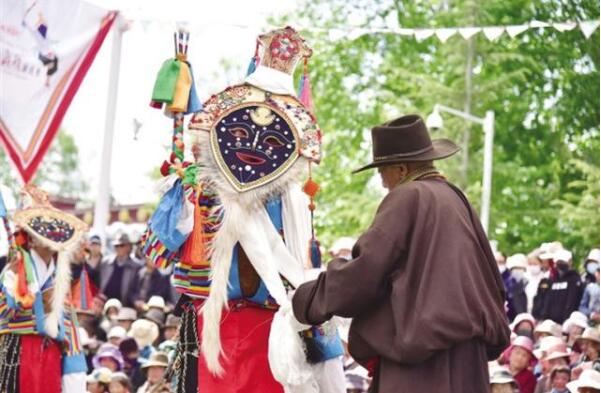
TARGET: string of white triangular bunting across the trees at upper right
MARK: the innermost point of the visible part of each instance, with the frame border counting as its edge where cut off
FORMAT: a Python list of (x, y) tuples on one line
[(492, 33)]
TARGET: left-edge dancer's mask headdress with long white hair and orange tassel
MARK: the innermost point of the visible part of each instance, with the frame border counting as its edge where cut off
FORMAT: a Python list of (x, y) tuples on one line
[(59, 231)]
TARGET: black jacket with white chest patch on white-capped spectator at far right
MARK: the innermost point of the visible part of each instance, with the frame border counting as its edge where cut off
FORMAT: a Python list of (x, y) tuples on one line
[(562, 296)]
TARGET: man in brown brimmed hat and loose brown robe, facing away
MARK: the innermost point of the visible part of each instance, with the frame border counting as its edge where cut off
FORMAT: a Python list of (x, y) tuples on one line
[(423, 287)]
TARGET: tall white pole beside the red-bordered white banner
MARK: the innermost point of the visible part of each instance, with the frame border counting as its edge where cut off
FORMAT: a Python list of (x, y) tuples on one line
[(101, 208)]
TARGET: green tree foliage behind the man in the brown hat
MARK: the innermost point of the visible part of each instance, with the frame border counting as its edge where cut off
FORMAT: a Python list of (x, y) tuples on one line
[(543, 86)]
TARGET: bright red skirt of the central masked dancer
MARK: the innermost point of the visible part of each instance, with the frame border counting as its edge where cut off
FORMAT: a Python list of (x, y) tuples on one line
[(244, 339)]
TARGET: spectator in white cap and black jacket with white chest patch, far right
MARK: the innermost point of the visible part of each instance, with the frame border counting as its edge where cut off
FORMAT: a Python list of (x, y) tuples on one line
[(565, 290)]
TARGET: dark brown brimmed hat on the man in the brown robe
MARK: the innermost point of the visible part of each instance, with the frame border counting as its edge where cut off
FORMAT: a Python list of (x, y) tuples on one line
[(406, 139)]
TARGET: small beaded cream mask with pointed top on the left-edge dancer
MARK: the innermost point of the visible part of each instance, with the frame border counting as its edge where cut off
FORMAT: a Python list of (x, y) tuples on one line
[(55, 229)]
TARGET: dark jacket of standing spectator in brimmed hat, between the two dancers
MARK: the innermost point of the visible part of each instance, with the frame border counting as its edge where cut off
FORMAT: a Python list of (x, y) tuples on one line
[(117, 280)]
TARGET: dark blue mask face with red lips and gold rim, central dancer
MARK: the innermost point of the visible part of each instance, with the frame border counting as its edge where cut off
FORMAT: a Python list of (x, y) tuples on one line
[(254, 144)]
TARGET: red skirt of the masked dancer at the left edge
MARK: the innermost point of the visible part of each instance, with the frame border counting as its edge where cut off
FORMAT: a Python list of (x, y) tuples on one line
[(40, 365)]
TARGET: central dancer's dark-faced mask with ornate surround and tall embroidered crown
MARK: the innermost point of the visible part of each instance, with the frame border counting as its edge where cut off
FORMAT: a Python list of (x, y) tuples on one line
[(259, 129)]
